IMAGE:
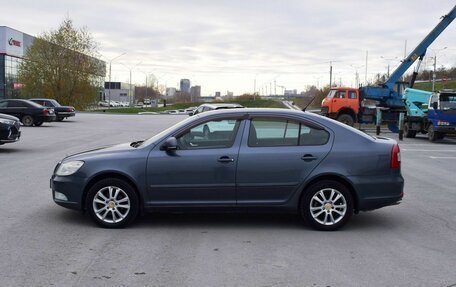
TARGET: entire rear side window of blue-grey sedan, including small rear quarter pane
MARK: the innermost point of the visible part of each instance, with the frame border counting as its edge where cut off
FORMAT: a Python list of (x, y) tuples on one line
[(283, 132)]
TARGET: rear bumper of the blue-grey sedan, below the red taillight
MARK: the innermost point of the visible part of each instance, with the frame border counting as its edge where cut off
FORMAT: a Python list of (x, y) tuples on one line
[(378, 191)]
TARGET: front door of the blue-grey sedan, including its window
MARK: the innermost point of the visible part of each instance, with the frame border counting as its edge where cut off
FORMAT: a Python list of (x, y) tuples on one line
[(201, 171)]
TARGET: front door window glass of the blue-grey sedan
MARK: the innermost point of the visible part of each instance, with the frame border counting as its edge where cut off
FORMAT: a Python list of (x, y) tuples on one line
[(209, 135)]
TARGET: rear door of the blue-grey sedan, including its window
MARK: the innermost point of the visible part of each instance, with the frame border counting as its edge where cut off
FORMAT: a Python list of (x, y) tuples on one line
[(276, 156)]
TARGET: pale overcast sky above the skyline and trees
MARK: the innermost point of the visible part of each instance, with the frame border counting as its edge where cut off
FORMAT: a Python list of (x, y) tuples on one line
[(227, 45)]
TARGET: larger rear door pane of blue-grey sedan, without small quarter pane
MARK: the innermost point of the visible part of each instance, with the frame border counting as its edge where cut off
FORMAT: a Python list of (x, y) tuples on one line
[(273, 132)]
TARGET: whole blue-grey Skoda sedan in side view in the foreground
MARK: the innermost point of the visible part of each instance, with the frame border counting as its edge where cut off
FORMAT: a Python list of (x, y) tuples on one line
[(270, 159)]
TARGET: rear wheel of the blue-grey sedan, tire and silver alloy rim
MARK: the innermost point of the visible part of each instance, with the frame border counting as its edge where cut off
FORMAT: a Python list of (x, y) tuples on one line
[(317, 205)]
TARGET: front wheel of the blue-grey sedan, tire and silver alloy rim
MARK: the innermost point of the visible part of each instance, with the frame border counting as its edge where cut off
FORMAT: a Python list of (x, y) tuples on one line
[(113, 211)]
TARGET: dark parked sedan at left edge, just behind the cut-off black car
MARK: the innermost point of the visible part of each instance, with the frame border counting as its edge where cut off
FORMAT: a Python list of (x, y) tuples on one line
[(28, 112)]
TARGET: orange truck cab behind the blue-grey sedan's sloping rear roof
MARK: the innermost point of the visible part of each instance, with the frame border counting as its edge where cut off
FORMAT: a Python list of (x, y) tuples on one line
[(342, 104)]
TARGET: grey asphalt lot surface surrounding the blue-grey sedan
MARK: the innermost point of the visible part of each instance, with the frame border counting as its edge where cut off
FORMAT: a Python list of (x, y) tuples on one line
[(42, 244)]
